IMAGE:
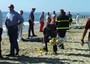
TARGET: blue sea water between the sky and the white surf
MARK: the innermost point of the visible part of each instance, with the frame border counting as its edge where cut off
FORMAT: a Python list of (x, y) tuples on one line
[(37, 15)]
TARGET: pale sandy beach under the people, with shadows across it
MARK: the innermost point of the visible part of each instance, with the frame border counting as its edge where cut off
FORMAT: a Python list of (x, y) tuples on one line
[(73, 53)]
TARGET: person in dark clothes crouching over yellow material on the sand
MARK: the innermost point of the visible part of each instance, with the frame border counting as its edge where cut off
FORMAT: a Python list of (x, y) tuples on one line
[(50, 31)]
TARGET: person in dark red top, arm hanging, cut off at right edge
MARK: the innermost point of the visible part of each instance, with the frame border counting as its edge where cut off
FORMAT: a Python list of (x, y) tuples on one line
[(87, 26)]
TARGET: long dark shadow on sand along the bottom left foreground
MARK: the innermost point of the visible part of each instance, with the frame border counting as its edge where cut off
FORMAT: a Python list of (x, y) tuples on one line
[(31, 60)]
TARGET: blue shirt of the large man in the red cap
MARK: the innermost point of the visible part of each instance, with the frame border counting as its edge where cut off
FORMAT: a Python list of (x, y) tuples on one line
[(13, 18)]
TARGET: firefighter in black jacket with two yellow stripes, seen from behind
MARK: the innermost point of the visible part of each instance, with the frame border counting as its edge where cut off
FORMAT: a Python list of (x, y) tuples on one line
[(62, 25)]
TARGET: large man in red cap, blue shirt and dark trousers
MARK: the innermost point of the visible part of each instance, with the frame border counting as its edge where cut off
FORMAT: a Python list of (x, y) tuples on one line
[(13, 19)]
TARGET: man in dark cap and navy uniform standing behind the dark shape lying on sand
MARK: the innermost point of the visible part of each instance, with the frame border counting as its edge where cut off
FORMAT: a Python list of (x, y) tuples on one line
[(31, 23)]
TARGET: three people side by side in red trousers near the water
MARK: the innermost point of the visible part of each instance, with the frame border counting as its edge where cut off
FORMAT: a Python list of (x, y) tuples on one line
[(49, 19)]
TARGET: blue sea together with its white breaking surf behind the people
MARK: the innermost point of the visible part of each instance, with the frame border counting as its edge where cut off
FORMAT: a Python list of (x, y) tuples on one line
[(37, 16)]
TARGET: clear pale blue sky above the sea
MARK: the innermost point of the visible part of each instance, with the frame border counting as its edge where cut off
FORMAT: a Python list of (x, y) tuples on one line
[(47, 5)]
